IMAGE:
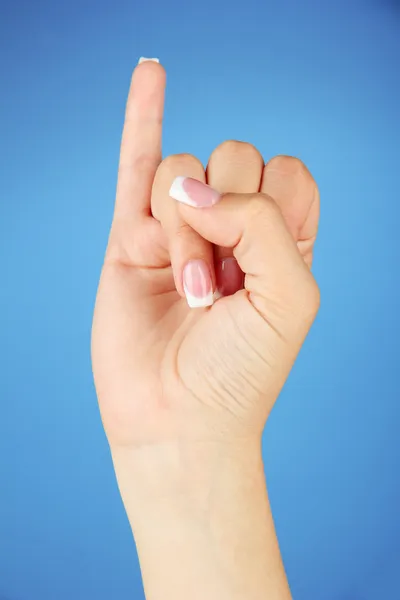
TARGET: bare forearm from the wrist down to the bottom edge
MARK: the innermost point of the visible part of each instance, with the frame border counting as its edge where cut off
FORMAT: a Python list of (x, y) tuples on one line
[(202, 522)]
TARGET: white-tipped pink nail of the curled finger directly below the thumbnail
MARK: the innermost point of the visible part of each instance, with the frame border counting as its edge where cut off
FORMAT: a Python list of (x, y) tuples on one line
[(197, 284)]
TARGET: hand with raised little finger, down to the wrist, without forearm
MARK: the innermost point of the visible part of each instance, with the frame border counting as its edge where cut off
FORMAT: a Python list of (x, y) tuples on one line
[(165, 372)]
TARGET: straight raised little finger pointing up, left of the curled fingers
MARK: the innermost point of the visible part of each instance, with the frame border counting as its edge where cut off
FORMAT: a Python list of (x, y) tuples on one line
[(141, 139)]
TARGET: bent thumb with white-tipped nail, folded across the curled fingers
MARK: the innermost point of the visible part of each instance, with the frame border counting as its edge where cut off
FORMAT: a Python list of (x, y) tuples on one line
[(279, 284)]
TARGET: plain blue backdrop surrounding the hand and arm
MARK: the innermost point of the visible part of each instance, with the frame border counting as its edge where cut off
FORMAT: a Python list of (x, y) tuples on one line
[(315, 79)]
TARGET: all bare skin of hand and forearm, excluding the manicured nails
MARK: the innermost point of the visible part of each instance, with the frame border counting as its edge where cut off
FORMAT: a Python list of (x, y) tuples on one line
[(184, 393)]
